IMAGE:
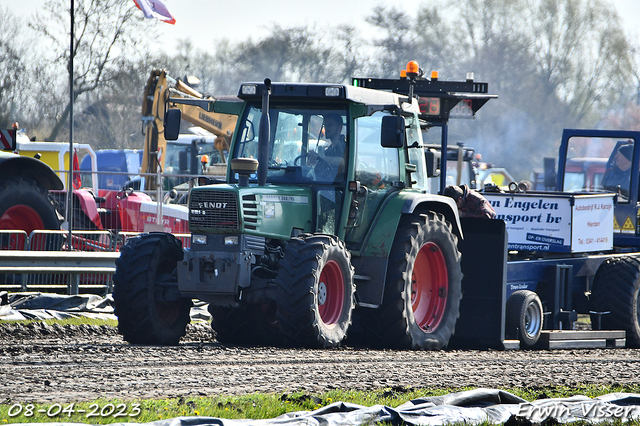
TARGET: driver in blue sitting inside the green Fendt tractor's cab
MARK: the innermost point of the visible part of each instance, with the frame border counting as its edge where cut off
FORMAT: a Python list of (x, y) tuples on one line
[(331, 159)]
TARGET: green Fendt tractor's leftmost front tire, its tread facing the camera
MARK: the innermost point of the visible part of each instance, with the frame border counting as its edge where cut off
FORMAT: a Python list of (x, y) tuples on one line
[(144, 317)]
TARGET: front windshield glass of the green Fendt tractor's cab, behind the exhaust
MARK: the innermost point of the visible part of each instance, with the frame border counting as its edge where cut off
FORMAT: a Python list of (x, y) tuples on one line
[(305, 145)]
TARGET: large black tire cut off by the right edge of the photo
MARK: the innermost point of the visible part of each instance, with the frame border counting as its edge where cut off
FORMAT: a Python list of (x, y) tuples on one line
[(615, 290)]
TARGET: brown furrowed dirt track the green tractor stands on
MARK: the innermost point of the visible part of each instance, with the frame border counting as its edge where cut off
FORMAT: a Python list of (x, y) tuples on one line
[(70, 364)]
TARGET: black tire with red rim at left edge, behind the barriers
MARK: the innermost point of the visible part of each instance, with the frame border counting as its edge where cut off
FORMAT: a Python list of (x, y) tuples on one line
[(24, 204)]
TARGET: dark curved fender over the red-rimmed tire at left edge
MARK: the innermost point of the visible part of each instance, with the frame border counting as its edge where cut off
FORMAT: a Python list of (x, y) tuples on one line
[(29, 168)]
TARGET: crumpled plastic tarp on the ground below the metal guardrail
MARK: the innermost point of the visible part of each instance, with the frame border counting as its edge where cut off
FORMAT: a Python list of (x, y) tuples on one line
[(42, 306)]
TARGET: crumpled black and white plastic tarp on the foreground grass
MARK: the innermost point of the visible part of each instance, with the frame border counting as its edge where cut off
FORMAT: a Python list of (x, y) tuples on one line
[(469, 407)]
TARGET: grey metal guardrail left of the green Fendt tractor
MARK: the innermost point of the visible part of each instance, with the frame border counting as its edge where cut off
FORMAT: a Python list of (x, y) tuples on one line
[(99, 267)]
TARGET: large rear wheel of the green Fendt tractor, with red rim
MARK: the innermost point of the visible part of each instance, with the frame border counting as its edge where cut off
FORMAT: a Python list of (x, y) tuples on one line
[(424, 252)]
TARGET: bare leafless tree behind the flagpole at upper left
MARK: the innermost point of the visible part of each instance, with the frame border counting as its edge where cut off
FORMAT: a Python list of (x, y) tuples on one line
[(106, 32)]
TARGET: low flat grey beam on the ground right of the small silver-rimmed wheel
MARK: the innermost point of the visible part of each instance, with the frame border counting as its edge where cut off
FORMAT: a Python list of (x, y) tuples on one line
[(576, 339)]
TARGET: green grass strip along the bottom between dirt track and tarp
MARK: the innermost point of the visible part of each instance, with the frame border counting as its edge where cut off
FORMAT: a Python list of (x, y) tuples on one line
[(254, 406)]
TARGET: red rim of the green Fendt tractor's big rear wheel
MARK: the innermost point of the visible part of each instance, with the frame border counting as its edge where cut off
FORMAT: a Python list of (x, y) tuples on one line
[(429, 287)]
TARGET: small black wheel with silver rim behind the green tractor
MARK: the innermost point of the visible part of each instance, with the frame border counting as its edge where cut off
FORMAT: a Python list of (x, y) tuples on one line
[(524, 318)]
